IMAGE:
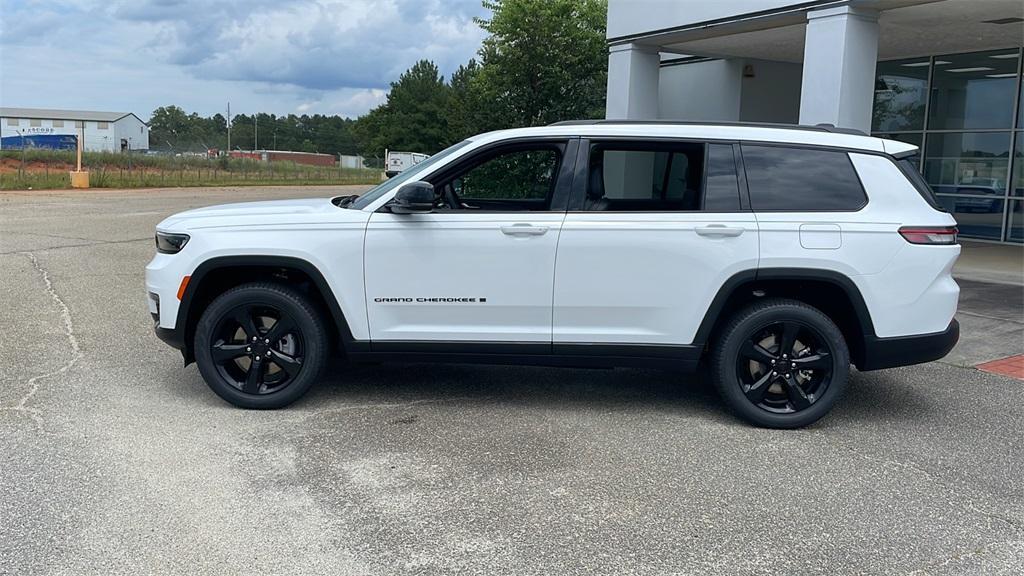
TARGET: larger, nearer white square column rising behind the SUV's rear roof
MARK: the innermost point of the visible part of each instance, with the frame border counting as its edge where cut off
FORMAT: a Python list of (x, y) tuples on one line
[(840, 52)]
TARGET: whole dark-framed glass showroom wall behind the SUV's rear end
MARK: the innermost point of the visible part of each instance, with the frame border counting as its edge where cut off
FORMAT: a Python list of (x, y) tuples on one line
[(965, 113)]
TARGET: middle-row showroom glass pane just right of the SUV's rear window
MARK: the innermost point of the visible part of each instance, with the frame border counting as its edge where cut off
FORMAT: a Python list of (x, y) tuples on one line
[(968, 163)]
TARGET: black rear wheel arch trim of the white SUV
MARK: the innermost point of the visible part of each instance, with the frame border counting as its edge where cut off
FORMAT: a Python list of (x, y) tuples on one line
[(832, 293)]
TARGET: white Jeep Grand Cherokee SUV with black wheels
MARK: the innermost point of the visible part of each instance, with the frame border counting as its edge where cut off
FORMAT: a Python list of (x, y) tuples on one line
[(779, 255)]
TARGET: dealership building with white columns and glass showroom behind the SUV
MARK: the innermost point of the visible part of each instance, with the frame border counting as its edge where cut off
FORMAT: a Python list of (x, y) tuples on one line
[(945, 75)]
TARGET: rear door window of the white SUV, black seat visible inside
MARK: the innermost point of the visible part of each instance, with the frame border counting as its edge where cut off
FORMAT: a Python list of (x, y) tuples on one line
[(662, 178)]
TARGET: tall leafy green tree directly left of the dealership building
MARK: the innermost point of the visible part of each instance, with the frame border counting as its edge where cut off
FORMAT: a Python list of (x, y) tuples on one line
[(544, 61)]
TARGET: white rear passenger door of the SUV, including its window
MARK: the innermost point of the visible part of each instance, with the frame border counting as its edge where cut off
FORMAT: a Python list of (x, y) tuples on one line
[(654, 231)]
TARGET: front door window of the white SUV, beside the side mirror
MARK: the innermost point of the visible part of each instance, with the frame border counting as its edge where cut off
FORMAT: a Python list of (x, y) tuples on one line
[(519, 180)]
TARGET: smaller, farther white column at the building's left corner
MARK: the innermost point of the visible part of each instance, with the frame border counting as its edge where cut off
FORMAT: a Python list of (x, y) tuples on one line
[(633, 78)]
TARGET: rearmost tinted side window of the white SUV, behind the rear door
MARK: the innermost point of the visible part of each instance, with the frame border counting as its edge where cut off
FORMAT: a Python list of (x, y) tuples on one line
[(796, 180)]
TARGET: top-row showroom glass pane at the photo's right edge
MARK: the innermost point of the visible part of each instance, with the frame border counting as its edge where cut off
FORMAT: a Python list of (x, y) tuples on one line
[(974, 91)]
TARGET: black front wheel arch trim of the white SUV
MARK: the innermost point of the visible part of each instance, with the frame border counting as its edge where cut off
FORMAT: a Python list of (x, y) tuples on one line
[(217, 275)]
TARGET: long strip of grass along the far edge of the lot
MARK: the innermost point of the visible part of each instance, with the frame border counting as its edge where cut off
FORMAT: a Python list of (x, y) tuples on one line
[(39, 170)]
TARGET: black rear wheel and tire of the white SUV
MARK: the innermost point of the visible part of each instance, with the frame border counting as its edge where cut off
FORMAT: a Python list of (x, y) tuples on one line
[(781, 364)]
